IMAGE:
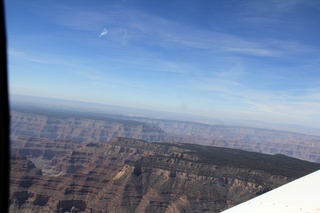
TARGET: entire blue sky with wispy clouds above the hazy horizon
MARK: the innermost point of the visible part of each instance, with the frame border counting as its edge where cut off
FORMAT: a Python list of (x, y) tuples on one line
[(226, 59)]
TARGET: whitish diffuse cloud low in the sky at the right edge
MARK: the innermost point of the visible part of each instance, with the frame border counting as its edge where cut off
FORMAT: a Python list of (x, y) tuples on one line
[(303, 103)]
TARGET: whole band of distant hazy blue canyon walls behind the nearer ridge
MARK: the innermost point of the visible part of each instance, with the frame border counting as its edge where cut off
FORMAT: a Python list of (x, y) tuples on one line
[(86, 127)]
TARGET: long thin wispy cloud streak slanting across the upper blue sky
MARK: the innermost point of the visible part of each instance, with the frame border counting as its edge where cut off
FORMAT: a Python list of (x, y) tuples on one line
[(170, 34)]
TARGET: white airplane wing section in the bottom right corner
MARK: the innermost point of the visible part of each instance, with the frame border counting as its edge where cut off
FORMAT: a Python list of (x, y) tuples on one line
[(299, 196)]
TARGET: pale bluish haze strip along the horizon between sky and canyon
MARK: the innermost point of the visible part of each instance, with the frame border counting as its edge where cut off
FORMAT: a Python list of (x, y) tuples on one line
[(114, 110)]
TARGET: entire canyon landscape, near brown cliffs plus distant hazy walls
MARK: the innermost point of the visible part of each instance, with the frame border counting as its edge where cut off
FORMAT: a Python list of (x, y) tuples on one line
[(71, 161)]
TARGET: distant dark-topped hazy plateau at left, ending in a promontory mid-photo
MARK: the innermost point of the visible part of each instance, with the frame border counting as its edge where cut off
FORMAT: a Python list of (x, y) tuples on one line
[(78, 126)]
